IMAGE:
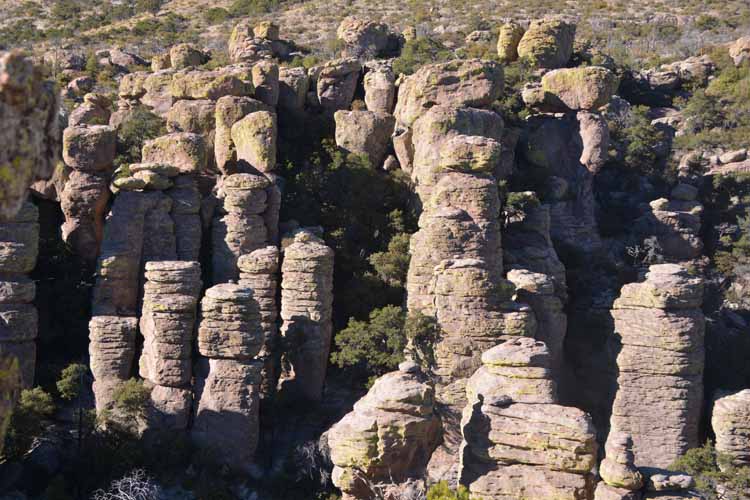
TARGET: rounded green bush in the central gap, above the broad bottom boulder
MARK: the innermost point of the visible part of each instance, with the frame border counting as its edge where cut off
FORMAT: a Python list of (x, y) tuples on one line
[(375, 346)]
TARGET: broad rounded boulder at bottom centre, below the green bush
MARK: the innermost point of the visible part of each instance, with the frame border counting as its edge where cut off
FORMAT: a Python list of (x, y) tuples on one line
[(388, 436)]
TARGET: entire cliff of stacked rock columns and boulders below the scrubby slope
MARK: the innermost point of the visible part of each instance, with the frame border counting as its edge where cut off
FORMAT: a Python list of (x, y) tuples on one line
[(567, 357)]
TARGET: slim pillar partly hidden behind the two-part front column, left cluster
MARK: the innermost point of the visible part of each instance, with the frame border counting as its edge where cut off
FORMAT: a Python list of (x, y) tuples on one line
[(259, 271)]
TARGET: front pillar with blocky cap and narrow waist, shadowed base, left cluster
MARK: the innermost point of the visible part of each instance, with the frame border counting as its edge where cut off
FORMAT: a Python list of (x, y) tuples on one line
[(228, 377)]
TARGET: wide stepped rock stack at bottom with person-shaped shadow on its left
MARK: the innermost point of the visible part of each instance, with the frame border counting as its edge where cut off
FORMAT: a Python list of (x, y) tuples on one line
[(518, 442)]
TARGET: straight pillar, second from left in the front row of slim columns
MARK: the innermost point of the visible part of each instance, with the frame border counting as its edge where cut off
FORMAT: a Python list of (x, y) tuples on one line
[(167, 324)]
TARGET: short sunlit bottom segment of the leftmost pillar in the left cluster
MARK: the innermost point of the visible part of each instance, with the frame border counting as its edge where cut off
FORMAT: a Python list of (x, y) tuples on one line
[(111, 350)]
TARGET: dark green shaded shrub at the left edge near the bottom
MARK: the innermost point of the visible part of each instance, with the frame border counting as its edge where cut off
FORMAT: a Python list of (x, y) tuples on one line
[(27, 422)]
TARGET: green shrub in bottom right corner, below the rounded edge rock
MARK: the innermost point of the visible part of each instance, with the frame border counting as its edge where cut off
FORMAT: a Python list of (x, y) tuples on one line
[(710, 469)]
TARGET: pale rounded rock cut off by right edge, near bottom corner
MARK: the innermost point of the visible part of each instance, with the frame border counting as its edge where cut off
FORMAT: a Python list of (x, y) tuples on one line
[(731, 425)]
